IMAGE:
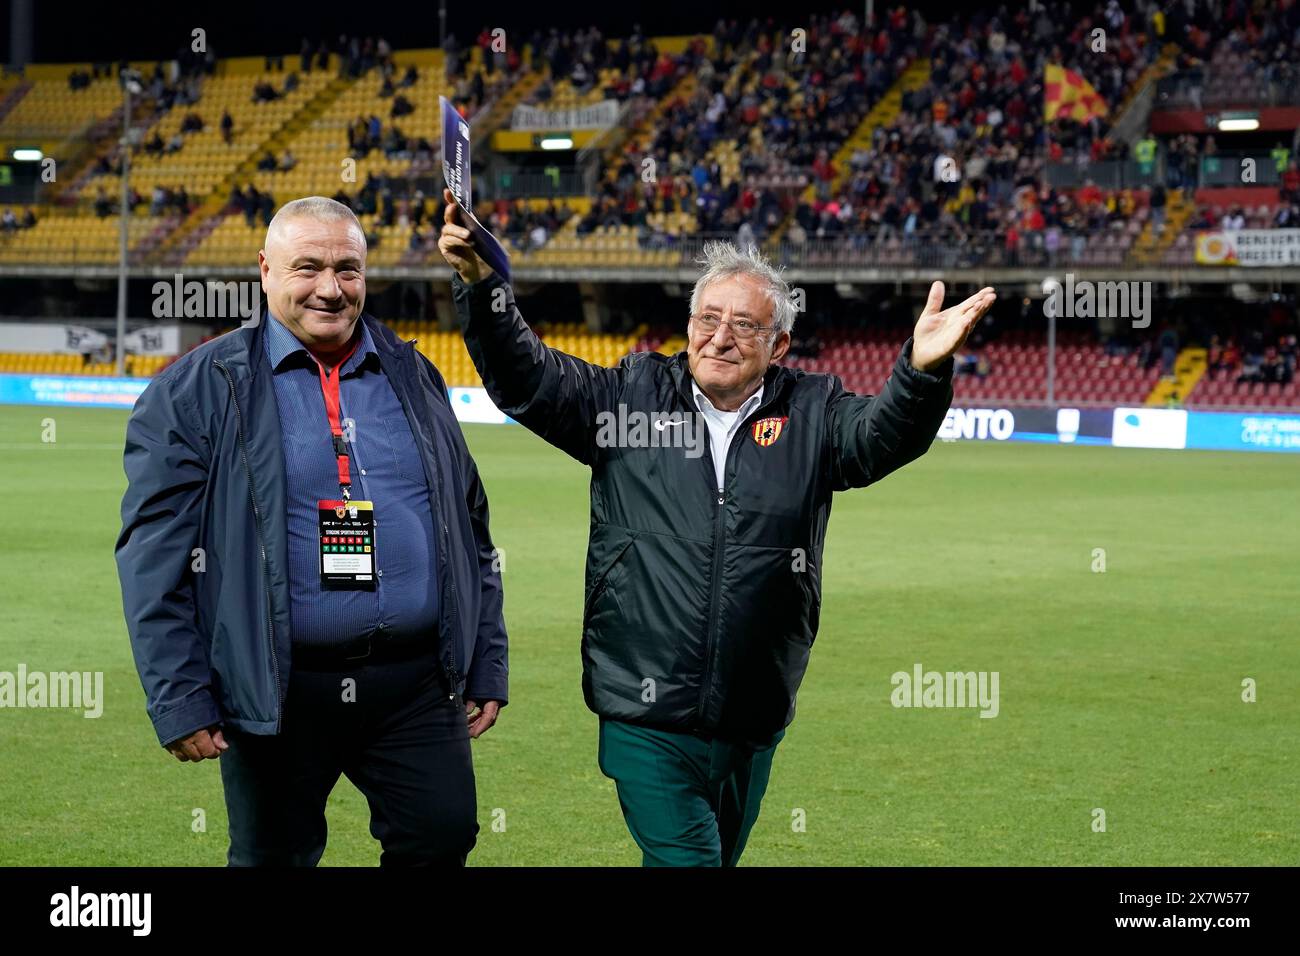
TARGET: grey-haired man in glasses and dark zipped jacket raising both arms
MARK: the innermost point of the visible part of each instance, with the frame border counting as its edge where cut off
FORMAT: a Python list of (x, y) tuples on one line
[(704, 573)]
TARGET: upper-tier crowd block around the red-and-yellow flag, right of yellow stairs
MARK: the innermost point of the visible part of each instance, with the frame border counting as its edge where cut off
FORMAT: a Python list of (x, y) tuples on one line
[(964, 162)]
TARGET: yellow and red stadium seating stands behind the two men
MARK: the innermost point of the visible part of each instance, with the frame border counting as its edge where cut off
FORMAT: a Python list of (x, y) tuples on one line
[(834, 146)]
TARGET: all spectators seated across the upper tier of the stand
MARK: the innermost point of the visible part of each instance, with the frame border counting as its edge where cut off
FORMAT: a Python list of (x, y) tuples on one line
[(961, 167)]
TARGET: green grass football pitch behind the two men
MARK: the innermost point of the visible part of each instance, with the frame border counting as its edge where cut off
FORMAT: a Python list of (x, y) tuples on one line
[(1120, 691)]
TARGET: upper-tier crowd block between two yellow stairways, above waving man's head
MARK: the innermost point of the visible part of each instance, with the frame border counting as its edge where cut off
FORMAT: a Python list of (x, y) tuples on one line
[(787, 100)]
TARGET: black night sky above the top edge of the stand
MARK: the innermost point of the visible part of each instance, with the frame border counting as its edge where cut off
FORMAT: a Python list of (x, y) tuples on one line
[(73, 31)]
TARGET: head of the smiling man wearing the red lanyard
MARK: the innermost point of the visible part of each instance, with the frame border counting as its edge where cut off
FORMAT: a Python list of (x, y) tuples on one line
[(314, 274)]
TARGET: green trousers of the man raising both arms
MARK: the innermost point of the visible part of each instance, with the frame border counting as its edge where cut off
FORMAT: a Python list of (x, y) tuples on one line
[(687, 801)]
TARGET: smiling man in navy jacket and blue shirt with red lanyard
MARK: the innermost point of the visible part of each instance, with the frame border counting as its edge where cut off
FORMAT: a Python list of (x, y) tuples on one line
[(307, 573)]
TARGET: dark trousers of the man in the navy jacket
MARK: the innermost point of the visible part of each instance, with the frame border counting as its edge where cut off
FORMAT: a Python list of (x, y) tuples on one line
[(402, 742)]
